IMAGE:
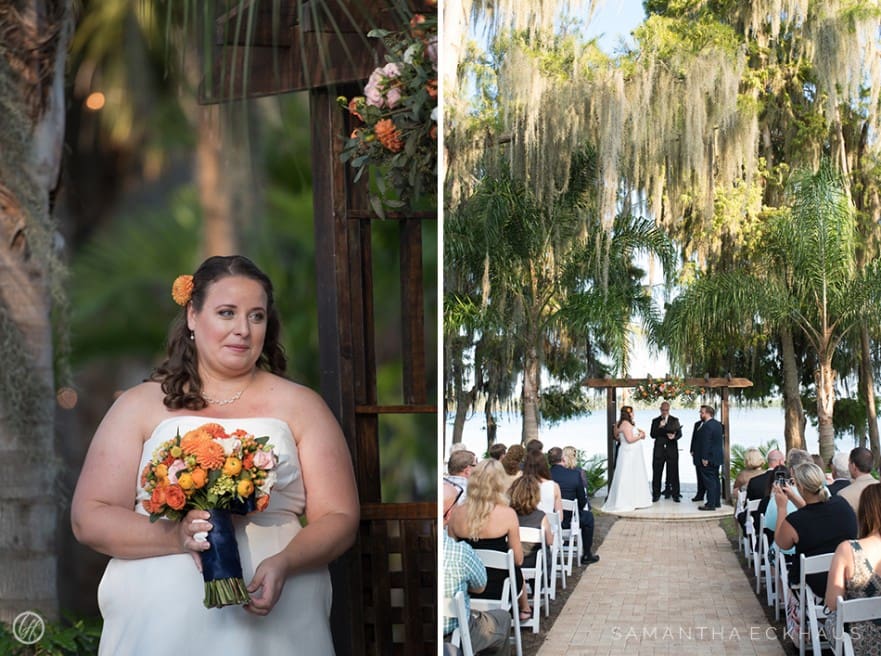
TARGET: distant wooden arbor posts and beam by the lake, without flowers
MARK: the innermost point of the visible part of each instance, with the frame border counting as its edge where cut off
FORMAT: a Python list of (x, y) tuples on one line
[(723, 384)]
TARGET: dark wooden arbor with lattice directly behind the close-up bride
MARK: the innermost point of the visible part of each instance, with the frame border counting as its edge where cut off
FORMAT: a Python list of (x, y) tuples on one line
[(385, 587)]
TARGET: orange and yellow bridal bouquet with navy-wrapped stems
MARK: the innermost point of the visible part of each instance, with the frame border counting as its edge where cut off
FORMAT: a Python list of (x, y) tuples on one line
[(209, 469)]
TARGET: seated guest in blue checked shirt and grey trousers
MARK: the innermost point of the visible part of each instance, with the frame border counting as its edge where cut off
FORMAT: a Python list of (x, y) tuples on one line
[(464, 571)]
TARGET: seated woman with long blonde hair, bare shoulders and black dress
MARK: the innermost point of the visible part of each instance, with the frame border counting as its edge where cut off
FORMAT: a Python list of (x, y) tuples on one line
[(486, 521)]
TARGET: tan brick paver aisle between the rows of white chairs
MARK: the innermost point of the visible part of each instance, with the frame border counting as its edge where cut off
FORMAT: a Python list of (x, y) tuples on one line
[(663, 587)]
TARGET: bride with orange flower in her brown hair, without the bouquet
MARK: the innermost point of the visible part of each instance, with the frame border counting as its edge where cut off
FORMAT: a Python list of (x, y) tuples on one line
[(225, 365)]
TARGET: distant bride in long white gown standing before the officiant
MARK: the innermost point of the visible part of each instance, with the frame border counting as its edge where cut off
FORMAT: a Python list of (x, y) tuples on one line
[(630, 485)]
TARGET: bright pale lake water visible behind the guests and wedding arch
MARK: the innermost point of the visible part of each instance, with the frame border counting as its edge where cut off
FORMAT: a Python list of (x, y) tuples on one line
[(749, 427)]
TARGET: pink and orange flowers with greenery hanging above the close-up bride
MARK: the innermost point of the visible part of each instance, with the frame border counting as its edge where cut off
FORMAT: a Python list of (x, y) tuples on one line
[(397, 137)]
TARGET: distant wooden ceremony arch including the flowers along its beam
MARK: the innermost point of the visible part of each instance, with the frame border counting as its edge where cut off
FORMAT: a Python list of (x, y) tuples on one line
[(670, 388)]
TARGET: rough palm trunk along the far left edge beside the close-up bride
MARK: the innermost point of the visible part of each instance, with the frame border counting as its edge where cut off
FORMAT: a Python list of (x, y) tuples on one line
[(35, 36)]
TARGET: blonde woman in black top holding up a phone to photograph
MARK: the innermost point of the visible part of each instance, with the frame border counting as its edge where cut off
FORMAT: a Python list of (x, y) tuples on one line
[(818, 526)]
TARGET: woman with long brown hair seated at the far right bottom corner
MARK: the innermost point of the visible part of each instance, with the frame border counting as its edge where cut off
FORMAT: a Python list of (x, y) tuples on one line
[(853, 573)]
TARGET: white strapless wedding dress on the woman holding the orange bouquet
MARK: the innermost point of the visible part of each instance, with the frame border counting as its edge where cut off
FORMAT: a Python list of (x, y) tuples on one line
[(154, 605)]
